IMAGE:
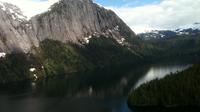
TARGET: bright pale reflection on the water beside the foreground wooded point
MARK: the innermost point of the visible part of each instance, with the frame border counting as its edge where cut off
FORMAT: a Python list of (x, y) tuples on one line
[(158, 72)]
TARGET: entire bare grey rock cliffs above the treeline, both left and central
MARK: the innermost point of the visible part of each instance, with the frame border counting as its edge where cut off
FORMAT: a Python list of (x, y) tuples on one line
[(67, 21)]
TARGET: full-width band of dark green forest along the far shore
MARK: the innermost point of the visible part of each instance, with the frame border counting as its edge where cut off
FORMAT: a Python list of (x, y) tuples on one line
[(62, 58)]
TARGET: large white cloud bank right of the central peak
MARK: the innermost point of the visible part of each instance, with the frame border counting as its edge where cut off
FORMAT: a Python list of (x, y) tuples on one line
[(168, 14)]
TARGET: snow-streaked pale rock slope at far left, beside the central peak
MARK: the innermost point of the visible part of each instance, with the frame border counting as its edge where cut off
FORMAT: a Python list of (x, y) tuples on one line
[(15, 33)]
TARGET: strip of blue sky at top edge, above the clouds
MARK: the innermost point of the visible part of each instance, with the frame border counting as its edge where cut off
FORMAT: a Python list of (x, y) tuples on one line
[(122, 3)]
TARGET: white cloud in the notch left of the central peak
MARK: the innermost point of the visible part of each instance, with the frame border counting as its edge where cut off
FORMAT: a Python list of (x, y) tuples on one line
[(32, 7)]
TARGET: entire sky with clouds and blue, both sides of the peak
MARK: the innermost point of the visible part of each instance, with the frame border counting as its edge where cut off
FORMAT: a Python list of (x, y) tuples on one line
[(139, 15)]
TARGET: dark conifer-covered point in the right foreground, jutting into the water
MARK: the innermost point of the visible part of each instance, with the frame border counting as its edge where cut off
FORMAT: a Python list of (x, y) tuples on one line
[(180, 89)]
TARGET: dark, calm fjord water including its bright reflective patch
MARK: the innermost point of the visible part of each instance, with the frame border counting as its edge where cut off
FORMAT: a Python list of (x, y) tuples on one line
[(100, 91)]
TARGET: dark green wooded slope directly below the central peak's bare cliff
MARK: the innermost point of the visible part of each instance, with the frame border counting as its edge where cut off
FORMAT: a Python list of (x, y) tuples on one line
[(62, 58)]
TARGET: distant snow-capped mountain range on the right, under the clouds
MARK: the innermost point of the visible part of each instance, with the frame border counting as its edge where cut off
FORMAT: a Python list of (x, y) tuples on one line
[(191, 30)]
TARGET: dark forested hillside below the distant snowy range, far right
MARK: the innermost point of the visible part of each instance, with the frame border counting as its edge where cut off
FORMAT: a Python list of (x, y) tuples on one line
[(179, 47)]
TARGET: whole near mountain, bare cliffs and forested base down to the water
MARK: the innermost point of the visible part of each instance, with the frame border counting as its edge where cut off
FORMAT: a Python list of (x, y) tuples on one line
[(72, 36)]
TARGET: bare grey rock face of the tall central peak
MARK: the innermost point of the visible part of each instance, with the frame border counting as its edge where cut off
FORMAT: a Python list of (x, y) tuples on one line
[(72, 20)]
